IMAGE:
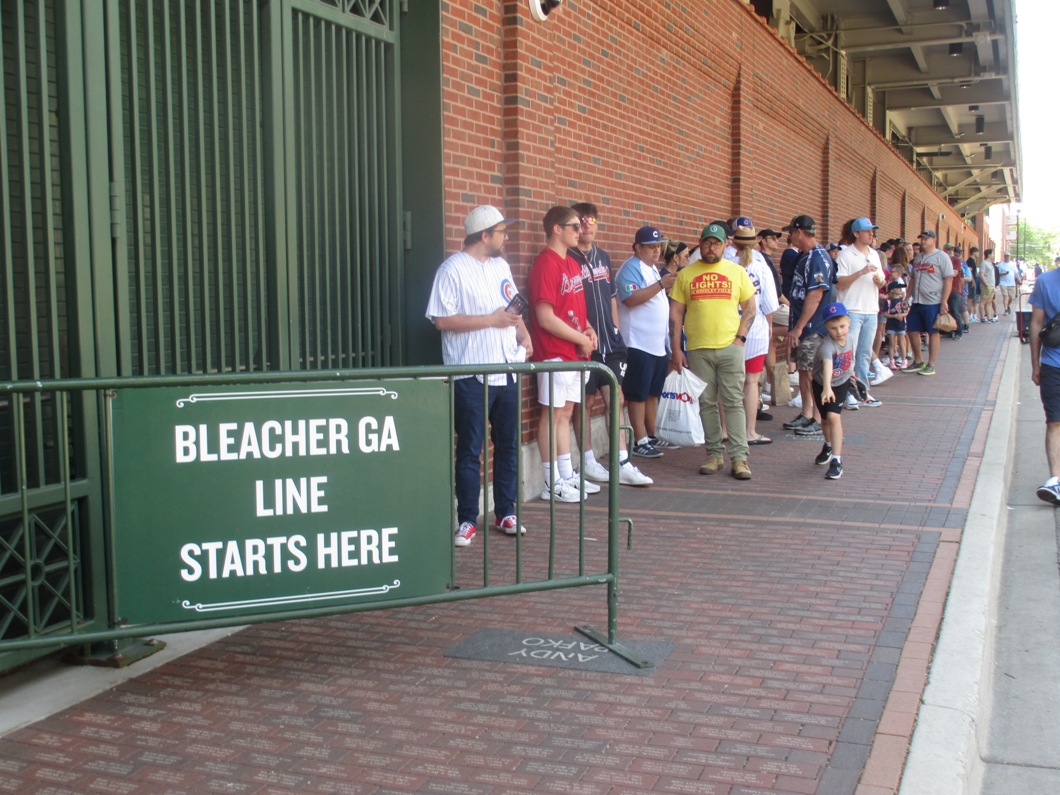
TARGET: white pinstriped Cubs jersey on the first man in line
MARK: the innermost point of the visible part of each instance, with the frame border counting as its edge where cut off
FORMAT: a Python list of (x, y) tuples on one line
[(466, 287)]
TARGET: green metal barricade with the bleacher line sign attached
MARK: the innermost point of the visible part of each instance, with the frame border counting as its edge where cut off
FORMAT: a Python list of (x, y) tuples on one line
[(270, 497)]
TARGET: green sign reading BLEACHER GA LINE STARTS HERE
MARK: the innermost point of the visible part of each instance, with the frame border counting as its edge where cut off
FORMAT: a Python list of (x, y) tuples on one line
[(242, 501)]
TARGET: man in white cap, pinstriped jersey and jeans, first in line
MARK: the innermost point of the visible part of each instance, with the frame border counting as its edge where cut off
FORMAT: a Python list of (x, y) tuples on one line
[(475, 306)]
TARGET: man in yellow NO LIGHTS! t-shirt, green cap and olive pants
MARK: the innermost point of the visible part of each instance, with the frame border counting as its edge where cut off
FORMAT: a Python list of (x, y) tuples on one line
[(714, 303)]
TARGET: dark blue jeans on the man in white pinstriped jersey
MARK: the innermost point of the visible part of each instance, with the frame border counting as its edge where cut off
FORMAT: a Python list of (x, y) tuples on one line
[(471, 409)]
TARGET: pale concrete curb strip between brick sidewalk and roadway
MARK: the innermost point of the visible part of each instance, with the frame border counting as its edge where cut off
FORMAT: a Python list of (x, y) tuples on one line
[(945, 756)]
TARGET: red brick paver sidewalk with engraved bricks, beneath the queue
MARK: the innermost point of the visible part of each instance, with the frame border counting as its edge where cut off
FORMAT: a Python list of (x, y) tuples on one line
[(802, 614)]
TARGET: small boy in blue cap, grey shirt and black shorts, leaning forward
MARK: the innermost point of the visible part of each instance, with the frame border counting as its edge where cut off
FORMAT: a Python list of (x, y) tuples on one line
[(833, 369)]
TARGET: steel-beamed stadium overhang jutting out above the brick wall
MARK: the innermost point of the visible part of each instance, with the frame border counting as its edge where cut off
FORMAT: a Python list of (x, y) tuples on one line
[(937, 78)]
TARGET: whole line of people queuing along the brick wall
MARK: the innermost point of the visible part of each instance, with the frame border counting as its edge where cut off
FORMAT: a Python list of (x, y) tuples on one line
[(711, 308)]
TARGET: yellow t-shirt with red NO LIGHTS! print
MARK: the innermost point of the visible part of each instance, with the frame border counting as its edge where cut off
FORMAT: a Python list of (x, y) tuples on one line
[(712, 295)]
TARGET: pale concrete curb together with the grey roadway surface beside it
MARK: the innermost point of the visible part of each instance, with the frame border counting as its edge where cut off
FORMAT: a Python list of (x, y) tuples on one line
[(988, 723)]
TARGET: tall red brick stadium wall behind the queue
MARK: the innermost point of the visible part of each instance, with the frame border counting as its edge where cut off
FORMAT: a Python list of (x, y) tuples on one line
[(661, 113)]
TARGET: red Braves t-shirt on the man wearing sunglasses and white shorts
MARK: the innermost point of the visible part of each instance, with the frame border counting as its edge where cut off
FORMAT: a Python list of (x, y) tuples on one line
[(556, 280)]
